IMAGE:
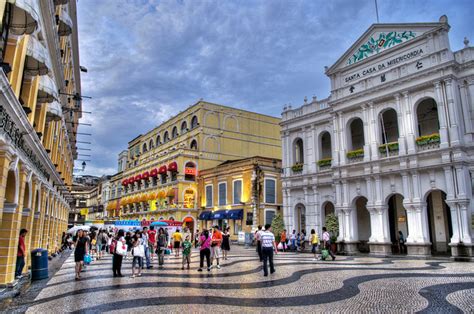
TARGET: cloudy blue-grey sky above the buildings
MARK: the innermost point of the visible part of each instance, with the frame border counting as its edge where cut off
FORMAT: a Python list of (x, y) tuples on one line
[(148, 60)]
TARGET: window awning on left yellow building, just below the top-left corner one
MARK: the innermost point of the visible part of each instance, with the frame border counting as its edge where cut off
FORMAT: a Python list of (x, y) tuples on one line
[(37, 58)]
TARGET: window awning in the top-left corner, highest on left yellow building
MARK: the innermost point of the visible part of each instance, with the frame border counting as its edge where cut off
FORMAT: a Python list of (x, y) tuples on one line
[(25, 17)]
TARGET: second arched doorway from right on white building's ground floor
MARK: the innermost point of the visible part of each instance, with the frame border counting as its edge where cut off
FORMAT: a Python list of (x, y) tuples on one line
[(397, 218)]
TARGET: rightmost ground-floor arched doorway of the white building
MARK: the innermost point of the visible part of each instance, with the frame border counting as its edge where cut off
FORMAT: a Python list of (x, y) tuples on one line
[(439, 223)]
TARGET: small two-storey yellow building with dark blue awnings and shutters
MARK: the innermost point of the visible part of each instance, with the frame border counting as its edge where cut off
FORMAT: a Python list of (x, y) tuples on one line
[(240, 194)]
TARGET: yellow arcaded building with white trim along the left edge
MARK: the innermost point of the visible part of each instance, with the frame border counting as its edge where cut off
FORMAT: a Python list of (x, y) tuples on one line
[(40, 105)]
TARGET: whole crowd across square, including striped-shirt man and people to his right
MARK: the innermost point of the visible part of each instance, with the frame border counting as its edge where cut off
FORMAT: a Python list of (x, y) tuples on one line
[(141, 247)]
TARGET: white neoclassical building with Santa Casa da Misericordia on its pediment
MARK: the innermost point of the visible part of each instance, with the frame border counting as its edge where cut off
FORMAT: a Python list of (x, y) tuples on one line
[(391, 149)]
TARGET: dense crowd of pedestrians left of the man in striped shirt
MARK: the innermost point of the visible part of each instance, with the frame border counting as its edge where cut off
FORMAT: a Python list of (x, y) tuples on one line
[(142, 246)]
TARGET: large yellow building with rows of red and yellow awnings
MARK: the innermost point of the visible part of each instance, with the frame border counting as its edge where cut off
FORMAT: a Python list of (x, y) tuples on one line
[(161, 167)]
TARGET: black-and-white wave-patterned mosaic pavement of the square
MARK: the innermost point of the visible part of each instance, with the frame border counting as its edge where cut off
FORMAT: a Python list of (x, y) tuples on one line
[(349, 284)]
